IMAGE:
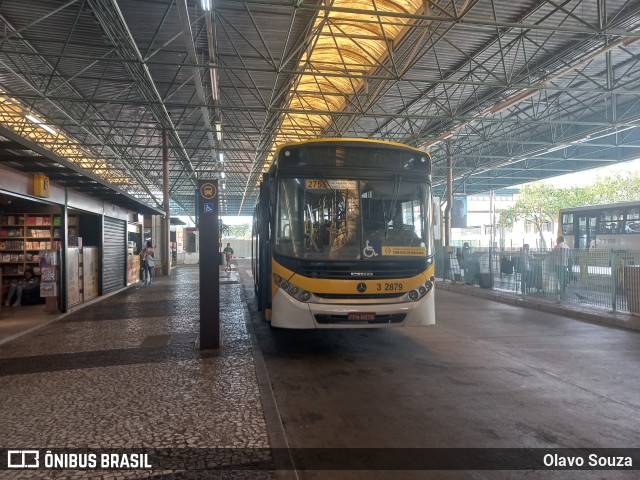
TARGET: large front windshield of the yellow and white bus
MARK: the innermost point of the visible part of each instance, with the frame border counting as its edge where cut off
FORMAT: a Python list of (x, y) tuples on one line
[(349, 219)]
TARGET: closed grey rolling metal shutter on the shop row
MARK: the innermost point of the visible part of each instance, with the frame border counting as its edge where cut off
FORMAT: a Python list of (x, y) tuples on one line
[(114, 255)]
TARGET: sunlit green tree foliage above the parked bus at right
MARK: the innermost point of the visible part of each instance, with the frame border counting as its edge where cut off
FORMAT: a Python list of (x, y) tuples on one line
[(540, 203)]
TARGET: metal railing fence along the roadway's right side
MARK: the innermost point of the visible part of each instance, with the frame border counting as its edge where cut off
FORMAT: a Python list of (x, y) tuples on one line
[(609, 279)]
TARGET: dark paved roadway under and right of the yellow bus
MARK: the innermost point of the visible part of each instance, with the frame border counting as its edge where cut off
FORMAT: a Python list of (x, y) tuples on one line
[(488, 375)]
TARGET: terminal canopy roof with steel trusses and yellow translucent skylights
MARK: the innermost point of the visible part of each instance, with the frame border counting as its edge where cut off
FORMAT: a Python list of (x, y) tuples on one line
[(512, 91)]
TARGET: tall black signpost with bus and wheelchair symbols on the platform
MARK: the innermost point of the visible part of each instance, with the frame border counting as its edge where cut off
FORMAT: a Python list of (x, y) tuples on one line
[(209, 264)]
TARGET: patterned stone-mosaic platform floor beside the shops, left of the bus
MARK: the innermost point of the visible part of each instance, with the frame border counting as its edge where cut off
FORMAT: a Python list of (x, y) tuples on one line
[(125, 372)]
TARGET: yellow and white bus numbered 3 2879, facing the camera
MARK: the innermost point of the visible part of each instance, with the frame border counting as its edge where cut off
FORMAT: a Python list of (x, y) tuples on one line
[(342, 236)]
